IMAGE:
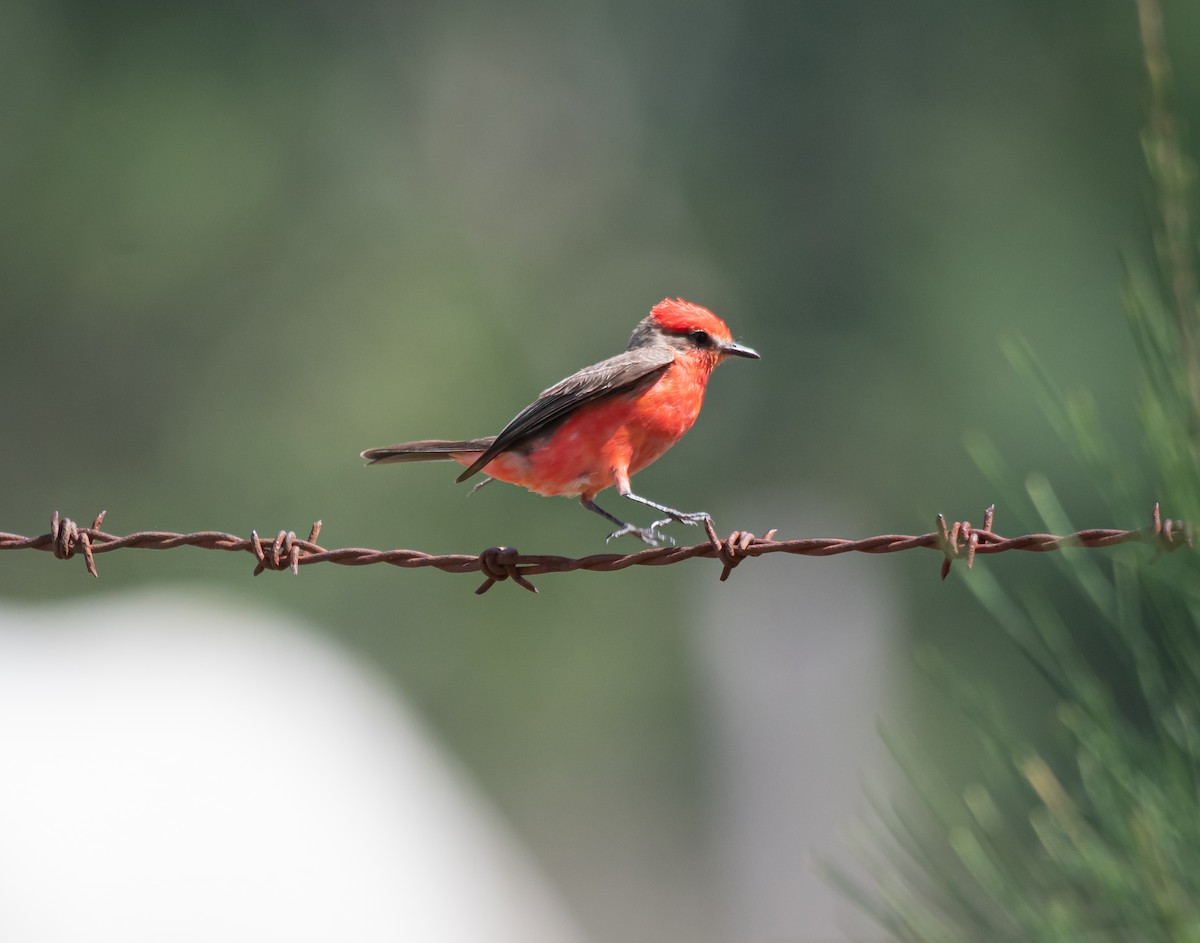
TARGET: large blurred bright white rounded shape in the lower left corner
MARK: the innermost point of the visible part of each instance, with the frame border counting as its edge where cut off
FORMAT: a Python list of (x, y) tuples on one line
[(172, 770)]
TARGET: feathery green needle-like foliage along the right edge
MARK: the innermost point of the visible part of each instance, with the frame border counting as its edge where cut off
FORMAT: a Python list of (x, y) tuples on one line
[(1096, 836)]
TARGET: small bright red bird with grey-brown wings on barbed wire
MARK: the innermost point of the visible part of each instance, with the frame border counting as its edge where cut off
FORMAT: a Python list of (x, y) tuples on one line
[(599, 427)]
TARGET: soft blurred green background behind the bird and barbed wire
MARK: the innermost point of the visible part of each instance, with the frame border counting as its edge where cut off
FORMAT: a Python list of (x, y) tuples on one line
[(239, 243)]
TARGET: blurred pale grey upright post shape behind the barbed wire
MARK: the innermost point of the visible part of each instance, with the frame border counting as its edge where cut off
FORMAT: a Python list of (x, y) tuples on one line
[(797, 654)]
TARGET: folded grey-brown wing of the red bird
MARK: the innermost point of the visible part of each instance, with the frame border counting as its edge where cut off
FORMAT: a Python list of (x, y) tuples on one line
[(611, 377)]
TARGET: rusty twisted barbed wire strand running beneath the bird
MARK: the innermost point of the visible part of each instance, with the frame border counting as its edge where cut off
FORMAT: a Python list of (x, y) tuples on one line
[(955, 542)]
